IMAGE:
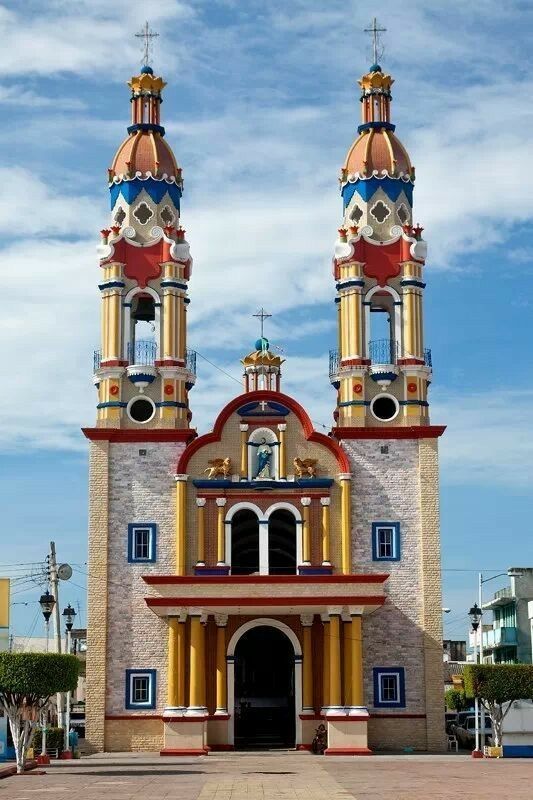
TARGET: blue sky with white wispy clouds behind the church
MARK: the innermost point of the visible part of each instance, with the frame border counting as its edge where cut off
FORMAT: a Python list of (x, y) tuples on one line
[(261, 106)]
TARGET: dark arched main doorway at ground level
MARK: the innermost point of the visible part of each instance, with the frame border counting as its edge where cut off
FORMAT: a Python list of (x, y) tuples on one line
[(264, 690)]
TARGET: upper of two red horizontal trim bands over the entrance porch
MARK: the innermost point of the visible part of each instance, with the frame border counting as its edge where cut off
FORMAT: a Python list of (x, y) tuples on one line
[(299, 580)]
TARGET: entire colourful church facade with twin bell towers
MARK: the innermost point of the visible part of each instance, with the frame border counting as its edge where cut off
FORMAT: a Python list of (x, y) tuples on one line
[(252, 583)]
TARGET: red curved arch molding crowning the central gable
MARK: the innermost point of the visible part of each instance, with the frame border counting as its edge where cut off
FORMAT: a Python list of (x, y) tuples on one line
[(310, 434)]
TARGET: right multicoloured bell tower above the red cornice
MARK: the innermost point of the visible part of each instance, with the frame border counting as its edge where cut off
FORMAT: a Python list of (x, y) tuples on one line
[(381, 369)]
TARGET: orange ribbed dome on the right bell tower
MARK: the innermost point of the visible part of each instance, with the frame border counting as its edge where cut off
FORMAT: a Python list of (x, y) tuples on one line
[(377, 150)]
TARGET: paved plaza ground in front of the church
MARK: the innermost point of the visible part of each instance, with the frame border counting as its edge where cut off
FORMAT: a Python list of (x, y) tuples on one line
[(275, 776)]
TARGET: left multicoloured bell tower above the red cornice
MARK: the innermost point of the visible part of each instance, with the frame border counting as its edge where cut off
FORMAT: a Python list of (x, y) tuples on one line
[(143, 370)]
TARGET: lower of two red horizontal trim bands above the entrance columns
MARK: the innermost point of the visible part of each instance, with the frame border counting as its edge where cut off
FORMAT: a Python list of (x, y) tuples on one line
[(293, 600)]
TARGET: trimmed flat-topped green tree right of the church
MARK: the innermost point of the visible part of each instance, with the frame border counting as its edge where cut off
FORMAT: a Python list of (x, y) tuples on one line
[(496, 685)]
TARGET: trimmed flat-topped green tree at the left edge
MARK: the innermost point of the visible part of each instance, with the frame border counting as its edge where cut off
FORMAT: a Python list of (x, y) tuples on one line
[(27, 682)]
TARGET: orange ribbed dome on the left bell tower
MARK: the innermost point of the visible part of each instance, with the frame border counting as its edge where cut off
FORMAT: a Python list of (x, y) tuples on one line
[(144, 151)]
